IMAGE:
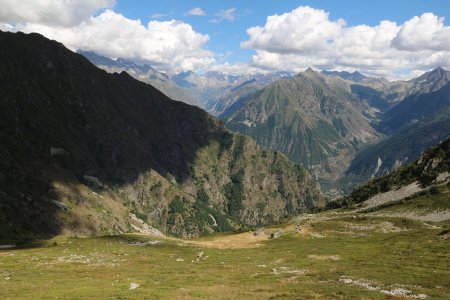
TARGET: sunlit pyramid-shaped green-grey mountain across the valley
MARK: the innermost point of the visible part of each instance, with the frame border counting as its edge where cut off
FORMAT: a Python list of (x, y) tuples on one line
[(308, 117)]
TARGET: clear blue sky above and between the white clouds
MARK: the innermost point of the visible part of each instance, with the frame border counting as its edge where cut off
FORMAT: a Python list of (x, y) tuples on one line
[(226, 36)]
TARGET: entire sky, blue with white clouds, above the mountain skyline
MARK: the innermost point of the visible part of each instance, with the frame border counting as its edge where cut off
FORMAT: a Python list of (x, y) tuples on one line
[(397, 39)]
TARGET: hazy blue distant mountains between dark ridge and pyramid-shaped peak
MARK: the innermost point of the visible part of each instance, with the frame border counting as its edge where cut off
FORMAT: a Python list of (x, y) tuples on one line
[(214, 91)]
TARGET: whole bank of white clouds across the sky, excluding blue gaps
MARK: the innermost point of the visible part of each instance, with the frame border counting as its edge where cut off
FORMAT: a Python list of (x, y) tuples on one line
[(293, 41)]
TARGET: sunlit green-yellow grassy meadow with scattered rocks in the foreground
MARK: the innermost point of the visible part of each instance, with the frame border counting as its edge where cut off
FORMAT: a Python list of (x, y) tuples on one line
[(333, 256)]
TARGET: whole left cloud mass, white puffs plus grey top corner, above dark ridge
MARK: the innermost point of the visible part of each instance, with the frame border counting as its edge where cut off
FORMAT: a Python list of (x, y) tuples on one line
[(164, 44)]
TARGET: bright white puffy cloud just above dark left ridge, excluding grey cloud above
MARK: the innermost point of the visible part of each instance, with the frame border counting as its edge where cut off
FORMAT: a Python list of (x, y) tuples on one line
[(163, 44)]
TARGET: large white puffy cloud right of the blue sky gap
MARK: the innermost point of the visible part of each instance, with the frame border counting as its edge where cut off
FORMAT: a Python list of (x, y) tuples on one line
[(307, 37)]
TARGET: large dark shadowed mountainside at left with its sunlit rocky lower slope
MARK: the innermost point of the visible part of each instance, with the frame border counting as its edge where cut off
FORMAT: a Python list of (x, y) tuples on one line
[(89, 152)]
